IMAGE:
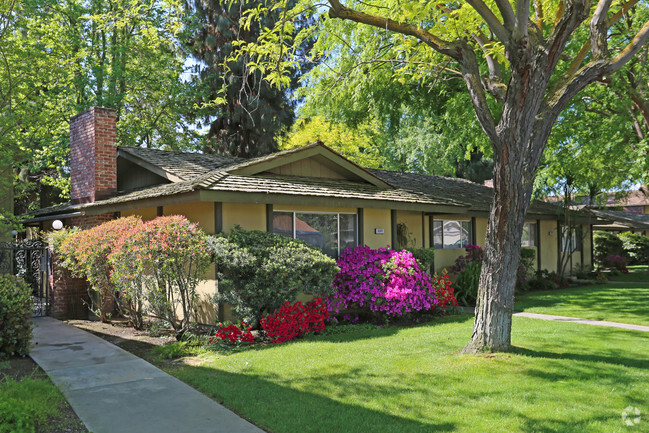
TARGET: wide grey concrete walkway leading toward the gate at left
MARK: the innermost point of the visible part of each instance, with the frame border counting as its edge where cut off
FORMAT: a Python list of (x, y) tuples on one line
[(113, 391)]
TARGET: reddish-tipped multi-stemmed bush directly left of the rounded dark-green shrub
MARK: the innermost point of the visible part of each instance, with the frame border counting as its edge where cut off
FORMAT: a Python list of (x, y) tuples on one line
[(166, 258)]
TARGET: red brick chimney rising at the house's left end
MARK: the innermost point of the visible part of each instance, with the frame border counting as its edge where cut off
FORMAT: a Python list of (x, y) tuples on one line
[(93, 154)]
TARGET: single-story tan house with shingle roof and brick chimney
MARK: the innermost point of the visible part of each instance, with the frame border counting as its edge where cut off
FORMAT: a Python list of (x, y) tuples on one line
[(311, 193)]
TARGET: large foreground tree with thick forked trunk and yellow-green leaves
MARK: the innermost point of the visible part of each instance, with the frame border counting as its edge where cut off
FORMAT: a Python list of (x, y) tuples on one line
[(514, 59)]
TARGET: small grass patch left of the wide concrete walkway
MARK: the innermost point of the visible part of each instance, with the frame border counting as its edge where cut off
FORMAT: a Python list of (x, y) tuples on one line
[(27, 403)]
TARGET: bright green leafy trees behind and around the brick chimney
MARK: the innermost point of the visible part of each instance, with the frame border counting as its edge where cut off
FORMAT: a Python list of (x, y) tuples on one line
[(61, 57)]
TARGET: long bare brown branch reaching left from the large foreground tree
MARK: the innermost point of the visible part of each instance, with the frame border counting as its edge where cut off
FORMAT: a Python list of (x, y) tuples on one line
[(337, 10)]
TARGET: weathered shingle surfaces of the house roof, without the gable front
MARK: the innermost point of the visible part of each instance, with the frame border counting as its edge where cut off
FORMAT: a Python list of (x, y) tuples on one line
[(213, 173)]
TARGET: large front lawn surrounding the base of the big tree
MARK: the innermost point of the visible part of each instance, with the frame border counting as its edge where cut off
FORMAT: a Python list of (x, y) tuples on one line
[(562, 377)]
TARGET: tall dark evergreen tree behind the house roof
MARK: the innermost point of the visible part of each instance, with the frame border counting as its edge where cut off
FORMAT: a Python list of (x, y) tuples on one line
[(249, 113)]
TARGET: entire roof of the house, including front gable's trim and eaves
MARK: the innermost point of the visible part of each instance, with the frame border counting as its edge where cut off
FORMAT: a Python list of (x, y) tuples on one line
[(221, 178)]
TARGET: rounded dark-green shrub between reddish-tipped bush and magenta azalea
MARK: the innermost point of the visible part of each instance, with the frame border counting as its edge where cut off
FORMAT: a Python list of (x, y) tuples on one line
[(259, 271)]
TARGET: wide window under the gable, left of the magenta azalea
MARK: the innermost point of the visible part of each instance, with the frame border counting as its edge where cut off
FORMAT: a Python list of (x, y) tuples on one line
[(331, 232)]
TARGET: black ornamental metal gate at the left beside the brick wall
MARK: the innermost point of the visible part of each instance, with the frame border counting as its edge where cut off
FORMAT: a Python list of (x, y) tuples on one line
[(29, 260)]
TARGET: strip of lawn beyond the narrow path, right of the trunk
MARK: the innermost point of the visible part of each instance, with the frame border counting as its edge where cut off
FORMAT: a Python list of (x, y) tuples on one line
[(624, 302)]
